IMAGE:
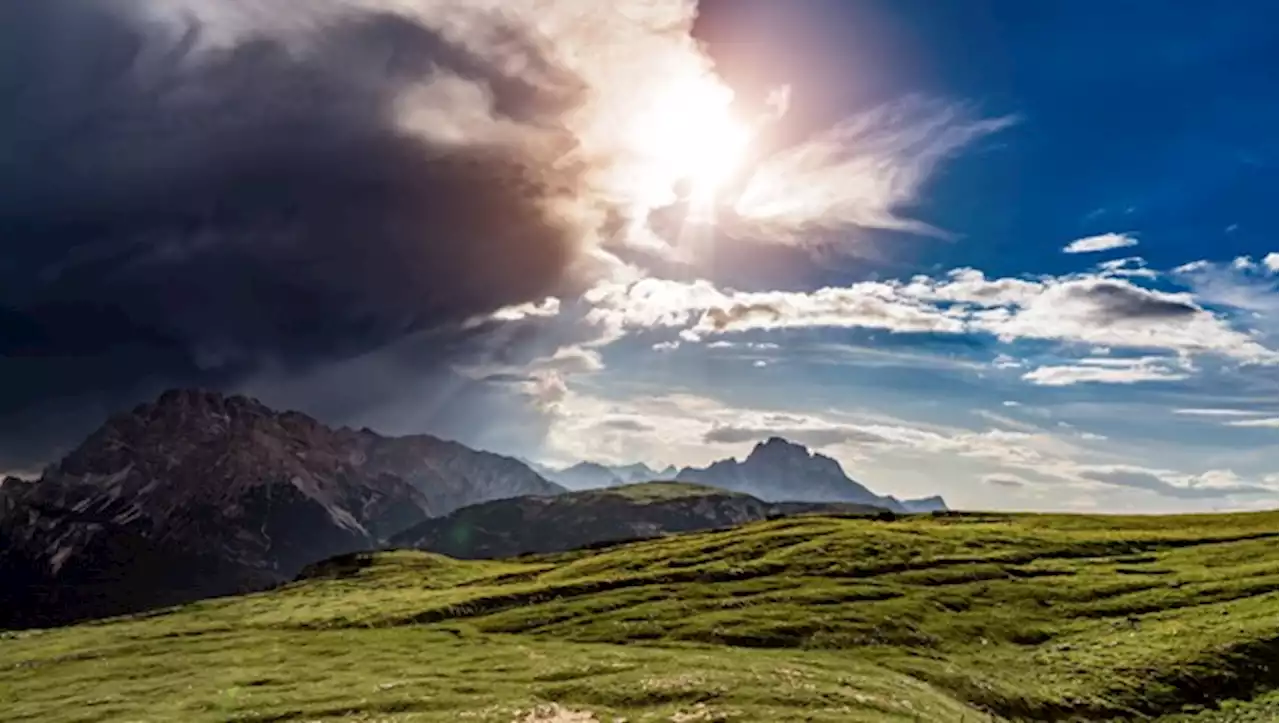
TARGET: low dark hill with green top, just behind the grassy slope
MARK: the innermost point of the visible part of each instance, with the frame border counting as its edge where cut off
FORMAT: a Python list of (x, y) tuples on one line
[(545, 525)]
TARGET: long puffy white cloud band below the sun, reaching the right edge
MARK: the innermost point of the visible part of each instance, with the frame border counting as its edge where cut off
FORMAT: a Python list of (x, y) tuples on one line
[(1095, 310)]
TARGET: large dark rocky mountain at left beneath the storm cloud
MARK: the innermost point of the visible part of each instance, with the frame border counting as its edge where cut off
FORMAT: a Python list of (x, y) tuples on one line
[(200, 495)]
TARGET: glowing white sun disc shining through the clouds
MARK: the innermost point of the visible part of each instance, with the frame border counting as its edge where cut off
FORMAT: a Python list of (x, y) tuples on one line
[(691, 135)]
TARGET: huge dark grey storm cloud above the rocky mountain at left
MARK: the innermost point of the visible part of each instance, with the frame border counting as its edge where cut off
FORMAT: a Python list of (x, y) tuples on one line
[(181, 212)]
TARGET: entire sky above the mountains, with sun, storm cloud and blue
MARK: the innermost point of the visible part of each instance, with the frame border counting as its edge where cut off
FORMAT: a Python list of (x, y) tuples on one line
[(1017, 254)]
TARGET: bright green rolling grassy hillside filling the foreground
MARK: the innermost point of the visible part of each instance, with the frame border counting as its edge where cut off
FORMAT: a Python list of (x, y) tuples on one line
[(811, 619)]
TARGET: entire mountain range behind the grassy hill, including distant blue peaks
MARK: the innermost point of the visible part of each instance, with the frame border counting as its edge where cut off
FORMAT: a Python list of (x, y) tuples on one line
[(200, 495)]
